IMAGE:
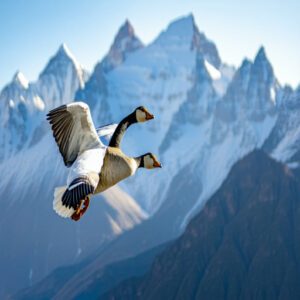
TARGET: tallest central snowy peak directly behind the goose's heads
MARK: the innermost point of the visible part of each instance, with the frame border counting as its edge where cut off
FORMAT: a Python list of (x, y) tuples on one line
[(158, 76)]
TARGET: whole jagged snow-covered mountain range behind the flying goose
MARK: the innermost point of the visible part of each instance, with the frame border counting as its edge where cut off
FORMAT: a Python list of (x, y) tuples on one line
[(207, 116)]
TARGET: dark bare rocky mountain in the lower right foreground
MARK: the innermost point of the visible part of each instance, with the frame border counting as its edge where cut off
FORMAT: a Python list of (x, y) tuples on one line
[(245, 243)]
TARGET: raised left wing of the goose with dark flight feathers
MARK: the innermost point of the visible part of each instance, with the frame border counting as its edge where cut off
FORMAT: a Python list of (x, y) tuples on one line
[(73, 130)]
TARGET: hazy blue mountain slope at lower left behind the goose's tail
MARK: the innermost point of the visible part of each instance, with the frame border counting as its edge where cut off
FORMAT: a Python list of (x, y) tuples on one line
[(39, 235)]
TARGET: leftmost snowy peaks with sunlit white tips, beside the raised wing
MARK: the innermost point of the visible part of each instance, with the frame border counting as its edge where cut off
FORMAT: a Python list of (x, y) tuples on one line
[(23, 105)]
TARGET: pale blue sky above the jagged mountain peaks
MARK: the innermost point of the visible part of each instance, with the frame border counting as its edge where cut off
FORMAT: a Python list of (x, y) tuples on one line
[(32, 30)]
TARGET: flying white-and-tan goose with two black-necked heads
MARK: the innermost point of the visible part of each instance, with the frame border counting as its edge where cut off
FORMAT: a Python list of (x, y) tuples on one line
[(94, 166)]
